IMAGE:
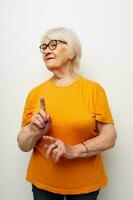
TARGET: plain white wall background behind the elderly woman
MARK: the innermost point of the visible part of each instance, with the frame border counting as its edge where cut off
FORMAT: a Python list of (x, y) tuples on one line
[(105, 28)]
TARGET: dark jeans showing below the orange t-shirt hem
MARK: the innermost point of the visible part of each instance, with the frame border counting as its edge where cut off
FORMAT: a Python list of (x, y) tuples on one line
[(39, 194)]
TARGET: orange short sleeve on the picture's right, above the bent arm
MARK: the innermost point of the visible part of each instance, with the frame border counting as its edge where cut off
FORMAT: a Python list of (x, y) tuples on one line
[(102, 109)]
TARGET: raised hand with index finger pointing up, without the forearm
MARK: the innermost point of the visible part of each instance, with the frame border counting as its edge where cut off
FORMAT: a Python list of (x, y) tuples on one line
[(41, 121)]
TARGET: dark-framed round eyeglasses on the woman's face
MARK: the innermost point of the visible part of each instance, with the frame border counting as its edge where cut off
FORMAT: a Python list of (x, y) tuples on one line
[(52, 45)]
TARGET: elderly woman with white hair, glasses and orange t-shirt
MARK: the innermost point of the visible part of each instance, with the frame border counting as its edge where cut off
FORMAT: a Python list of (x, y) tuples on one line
[(67, 123)]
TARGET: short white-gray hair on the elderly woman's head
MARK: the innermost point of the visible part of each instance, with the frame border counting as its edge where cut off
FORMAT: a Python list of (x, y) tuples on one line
[(69, 36)]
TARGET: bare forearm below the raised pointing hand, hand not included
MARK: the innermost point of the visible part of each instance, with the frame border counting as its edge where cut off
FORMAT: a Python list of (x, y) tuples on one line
[(27, 139)]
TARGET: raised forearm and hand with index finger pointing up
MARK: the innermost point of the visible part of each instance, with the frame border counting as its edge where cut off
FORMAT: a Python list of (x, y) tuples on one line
[(30, 134)]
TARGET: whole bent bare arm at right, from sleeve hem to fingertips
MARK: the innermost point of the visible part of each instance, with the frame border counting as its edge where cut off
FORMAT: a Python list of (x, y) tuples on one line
[(105, 140)]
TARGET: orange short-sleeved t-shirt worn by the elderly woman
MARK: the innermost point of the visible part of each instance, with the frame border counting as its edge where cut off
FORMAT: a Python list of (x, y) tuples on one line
[(74, 110)]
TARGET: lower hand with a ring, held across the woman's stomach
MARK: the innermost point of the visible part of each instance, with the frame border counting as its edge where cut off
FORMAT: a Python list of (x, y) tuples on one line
[(57, 148)]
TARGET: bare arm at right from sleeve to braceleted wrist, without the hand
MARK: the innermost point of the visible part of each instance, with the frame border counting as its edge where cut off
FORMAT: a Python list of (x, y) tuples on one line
[(105, 140)]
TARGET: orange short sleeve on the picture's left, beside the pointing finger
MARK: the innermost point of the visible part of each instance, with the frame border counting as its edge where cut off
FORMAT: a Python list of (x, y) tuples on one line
[(28, 111)]
